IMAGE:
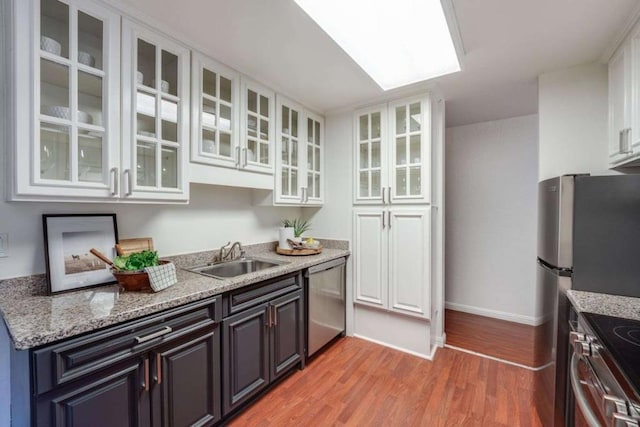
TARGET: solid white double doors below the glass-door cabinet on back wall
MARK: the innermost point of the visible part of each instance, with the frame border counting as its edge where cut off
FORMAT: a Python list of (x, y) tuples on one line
[(383, 277)]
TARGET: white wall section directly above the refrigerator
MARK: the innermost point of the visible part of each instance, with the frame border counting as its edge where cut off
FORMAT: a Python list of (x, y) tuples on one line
[(573, 110)]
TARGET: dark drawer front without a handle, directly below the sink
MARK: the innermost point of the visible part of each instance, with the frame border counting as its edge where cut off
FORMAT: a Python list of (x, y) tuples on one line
[(250, 296)]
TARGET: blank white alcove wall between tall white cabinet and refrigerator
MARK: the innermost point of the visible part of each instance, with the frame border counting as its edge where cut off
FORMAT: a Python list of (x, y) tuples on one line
[(490, 225)]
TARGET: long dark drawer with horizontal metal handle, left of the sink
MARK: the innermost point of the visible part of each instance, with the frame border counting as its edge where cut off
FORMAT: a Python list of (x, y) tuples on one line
[(67, 361)]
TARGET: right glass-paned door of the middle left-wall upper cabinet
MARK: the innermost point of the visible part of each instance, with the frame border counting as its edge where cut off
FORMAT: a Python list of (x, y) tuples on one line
[(257, 141)]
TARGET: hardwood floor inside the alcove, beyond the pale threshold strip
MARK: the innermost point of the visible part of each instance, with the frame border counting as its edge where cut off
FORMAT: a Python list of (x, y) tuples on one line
[(510, 341)]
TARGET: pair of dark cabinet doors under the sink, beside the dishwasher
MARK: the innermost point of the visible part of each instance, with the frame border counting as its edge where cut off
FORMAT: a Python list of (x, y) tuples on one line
[(260, 344)]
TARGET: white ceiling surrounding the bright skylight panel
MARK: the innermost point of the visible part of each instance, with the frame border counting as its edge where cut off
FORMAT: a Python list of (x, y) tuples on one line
[(507, 44)]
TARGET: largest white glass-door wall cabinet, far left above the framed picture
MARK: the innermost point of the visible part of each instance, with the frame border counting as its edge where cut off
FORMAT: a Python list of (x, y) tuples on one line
[(88, 130)]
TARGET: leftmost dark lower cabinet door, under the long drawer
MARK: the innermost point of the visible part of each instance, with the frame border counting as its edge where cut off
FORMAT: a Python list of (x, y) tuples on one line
[(116, 398)]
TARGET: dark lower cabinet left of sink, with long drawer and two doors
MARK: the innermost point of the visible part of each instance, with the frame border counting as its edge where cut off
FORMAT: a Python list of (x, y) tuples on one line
[(165, 372)]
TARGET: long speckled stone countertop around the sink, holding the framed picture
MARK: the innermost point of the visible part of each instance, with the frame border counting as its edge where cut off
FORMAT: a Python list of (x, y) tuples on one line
[(34, 318)]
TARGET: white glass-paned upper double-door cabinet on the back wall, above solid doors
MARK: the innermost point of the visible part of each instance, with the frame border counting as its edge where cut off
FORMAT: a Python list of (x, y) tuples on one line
[(393, 153)]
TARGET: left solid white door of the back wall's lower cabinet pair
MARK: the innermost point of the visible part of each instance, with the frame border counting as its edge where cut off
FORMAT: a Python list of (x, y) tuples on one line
[(370, 257)]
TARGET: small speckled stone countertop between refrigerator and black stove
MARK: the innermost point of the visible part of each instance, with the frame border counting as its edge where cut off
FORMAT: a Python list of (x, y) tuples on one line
[(609, 305)]
